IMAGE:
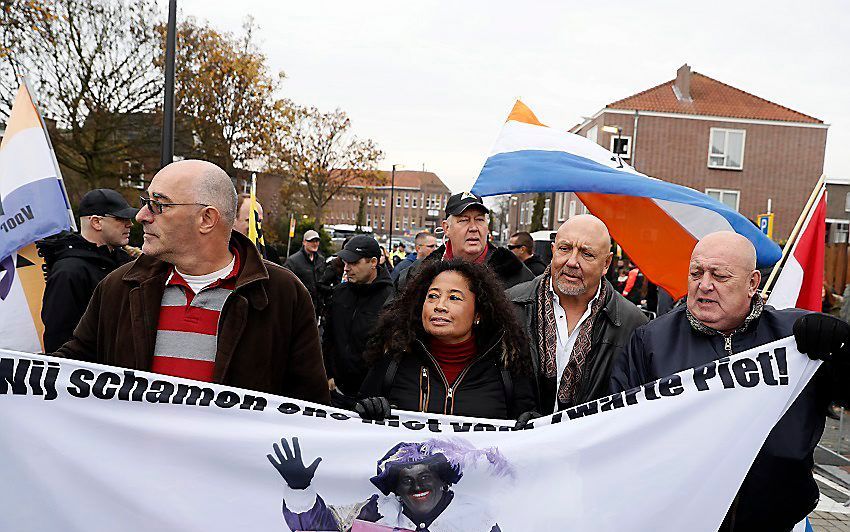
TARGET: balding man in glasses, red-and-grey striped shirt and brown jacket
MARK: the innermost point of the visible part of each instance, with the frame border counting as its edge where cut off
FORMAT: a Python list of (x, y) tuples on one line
[(200, 302)]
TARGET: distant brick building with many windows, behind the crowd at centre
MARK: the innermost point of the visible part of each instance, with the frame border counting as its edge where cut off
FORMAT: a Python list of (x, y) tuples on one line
[(420, 198)]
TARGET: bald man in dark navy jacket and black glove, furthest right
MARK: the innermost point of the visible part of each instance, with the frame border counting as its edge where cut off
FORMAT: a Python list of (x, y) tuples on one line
[(724, 315)]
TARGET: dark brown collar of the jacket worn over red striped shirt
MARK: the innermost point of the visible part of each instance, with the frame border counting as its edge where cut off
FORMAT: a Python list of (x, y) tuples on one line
[(253, 269)]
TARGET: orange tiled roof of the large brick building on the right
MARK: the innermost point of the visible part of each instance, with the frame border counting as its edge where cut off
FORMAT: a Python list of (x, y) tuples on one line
[(713, 98)]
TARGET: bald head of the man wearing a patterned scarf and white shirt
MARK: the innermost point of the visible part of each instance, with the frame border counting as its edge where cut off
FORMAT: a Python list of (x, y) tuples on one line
[(581, 254)]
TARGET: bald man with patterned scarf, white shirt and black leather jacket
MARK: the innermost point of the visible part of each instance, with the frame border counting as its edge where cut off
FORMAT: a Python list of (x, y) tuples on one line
[(574, 318)]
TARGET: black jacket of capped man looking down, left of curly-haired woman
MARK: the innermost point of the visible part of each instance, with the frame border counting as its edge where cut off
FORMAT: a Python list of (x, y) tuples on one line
[(351, 317)]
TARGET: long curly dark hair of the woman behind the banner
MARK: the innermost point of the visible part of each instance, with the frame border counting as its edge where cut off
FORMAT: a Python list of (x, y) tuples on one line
[(400, 325)]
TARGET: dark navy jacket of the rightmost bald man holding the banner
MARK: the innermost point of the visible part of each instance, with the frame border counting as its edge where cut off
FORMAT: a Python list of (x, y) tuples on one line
[(779, 490)]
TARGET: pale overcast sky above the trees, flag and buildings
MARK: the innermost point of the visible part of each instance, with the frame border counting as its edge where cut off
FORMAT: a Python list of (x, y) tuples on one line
[(432, 82)]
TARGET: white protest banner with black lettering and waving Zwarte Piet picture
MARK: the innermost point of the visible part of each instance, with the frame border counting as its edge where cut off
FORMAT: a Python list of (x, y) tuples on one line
[(94, 448)]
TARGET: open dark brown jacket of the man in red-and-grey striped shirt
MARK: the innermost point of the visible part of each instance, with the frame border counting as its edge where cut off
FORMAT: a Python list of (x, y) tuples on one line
[(268, 340)]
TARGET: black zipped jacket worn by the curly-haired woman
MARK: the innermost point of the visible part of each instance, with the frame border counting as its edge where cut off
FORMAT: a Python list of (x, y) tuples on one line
[(485, 389)]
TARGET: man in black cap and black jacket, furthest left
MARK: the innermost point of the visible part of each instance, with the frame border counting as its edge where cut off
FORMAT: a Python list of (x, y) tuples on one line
[(77, 262)]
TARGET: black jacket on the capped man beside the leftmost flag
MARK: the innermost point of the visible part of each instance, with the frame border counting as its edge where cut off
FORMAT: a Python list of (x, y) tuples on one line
[(74, 268)]
